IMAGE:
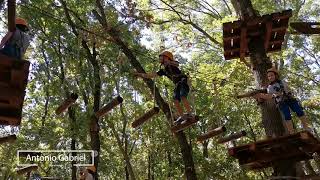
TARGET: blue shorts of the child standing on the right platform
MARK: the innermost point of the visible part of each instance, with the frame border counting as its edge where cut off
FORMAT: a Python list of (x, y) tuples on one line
[(294, 106)]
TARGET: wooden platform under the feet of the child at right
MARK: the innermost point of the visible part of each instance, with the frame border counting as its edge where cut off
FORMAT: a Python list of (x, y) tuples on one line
[(261, 154)]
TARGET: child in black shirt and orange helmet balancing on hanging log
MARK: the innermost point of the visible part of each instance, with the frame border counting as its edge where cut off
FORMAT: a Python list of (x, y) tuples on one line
[(170, 69)]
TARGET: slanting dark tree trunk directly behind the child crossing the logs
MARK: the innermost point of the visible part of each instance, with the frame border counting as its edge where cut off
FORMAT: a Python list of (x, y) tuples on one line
[(186, 149)]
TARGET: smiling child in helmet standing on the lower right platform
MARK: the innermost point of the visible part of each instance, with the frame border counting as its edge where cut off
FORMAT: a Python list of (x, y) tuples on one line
[(280, 92)]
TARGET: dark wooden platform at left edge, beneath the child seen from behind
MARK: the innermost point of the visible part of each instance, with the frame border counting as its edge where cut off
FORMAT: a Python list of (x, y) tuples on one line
[(13, 81)]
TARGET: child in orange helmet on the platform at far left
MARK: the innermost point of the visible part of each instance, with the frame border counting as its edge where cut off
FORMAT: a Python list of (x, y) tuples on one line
[(15, 43)]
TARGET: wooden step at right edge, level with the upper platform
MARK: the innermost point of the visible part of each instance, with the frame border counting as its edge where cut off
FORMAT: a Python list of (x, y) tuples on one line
[(306, 27)]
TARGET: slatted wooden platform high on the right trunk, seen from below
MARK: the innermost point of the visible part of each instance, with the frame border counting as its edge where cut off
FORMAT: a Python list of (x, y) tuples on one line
[(271, 27)]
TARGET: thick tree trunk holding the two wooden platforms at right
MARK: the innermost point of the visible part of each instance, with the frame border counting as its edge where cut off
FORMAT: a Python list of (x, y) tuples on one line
[(271, 117)]
